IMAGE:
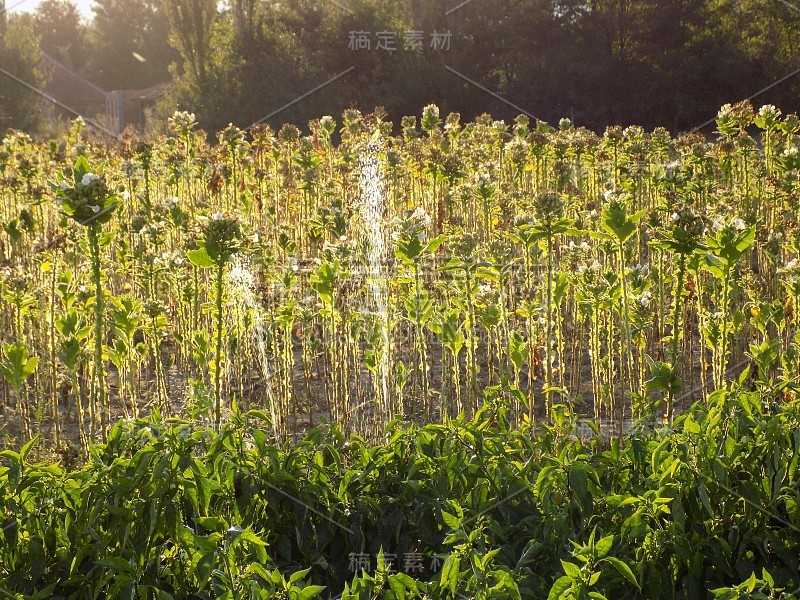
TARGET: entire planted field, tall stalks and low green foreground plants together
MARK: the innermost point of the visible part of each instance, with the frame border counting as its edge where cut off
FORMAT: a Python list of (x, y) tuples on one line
[(428, 359)]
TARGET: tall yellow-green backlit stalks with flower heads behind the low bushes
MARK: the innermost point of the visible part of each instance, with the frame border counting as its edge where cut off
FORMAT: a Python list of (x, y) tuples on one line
[(623, 274)]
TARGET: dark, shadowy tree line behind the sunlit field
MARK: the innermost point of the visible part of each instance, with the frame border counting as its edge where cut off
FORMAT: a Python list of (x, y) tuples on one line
[(649, 62)]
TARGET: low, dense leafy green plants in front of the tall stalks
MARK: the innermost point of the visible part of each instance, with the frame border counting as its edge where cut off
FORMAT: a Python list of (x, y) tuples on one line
[(475, 508)]
